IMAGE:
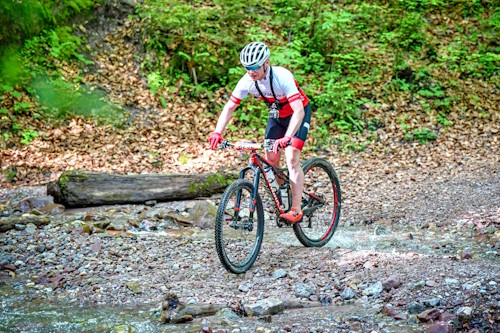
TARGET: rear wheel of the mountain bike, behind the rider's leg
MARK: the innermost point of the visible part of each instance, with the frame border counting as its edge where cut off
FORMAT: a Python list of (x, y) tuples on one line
[(321, 204)]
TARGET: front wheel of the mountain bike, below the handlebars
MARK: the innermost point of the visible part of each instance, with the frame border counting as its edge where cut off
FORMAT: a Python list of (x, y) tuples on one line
[(238, 230)]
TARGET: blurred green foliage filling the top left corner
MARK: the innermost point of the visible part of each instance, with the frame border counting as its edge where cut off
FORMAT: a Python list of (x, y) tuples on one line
[(39, 46)]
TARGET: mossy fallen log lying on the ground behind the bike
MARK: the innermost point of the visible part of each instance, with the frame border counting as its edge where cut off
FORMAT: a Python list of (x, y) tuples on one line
[(81, 188)]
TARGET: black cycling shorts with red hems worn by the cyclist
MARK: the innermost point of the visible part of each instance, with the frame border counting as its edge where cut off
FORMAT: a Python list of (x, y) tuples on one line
[(276, 128)]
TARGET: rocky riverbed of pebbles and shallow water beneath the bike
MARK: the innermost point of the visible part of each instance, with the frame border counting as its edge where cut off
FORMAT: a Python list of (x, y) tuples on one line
[(419, 256)]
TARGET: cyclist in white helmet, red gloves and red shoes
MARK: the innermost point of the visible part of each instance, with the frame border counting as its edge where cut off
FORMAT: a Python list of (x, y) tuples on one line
[(289, 115)]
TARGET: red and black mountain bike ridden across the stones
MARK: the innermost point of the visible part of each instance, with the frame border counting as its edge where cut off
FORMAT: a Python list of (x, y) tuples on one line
[(239, 227)]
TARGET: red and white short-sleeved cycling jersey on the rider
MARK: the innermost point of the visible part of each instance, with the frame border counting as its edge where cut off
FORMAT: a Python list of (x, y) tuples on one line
[(285, 87)]
